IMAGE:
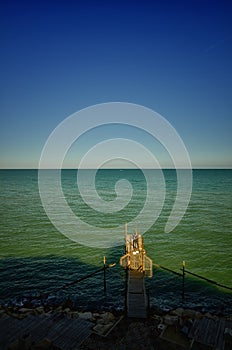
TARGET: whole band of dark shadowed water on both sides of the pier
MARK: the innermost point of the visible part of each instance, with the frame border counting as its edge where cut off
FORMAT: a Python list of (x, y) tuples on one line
[(27, 278)]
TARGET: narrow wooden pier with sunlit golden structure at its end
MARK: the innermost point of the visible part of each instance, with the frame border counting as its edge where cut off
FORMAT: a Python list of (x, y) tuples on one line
[(137, 265)]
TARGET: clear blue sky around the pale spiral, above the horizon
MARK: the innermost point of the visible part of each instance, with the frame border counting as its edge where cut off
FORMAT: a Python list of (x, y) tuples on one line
[(58, 57)]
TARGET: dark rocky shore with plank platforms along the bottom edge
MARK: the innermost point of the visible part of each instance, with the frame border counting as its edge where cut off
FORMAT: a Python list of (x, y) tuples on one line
[(173, 329)]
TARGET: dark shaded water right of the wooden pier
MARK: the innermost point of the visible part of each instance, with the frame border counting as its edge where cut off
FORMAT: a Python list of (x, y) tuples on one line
[(166, 292)]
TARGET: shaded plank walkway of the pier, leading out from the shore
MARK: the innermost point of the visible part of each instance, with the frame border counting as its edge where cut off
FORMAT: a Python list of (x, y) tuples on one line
[(136, 295)]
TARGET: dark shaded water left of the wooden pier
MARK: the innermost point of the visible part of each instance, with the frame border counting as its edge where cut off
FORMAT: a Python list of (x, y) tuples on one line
[(26, 278)]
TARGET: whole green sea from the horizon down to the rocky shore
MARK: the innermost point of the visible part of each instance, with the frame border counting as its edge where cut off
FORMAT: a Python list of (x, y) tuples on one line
[(40, 264)]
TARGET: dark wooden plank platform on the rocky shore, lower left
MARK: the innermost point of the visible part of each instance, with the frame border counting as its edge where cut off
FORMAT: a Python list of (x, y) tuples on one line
[(65, 333)]
